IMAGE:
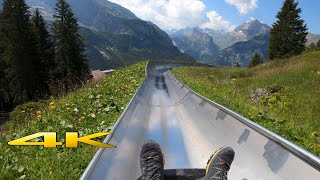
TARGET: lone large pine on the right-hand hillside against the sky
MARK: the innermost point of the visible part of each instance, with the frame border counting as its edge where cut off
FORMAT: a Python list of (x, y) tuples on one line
[(288, 33)]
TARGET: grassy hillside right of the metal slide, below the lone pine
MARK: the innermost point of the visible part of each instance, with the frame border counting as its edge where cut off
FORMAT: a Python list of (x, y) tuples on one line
[(287, 103)]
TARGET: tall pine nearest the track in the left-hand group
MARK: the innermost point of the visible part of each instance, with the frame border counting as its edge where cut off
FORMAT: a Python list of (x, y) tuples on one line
[(72, 66)]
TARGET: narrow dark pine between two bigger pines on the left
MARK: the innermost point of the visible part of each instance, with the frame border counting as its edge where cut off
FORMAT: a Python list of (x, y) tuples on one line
[(45, 49)]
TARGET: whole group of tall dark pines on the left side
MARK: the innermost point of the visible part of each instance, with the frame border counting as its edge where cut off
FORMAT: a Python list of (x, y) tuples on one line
[(35, 64)]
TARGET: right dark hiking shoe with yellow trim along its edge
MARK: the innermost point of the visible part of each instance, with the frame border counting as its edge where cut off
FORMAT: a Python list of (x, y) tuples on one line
[(219, 164)]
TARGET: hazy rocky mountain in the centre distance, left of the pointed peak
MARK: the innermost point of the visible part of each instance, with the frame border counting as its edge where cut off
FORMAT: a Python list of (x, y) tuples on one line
[(194, 43)]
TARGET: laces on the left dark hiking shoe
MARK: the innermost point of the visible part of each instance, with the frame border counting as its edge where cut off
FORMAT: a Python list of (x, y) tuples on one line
[(152, 165)]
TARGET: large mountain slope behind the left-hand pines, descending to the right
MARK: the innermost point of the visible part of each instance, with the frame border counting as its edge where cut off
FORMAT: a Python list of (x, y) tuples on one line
[(114, 36)]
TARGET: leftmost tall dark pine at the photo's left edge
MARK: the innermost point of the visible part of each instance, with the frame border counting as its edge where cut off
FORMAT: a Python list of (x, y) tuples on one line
[(20, 52)]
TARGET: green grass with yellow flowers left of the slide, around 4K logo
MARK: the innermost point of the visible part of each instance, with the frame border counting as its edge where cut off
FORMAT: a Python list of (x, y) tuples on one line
[(90, 110)]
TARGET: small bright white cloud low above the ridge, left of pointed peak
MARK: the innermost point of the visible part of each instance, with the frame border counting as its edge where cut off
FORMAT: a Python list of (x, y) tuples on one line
[(217, 22)]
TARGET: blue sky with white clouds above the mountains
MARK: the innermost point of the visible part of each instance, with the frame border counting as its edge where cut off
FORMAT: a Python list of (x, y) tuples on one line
[(216, 14)]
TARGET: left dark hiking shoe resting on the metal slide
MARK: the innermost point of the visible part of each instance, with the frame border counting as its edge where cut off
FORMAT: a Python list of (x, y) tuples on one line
[(151, 161)]
